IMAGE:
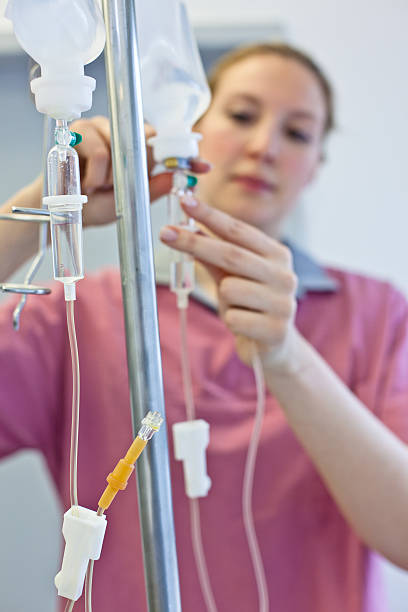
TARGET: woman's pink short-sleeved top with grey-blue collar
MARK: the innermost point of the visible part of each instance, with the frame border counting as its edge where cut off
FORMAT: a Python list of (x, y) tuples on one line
[(314, 561)]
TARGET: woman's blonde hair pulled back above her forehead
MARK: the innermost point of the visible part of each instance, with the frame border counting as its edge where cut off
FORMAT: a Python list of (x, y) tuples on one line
[(283, 50)]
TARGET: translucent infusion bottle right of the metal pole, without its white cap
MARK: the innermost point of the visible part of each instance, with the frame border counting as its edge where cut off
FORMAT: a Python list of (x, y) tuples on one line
[(174, 87)]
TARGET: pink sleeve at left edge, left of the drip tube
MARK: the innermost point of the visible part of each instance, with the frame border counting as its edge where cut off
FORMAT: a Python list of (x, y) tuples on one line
[(31, 380)]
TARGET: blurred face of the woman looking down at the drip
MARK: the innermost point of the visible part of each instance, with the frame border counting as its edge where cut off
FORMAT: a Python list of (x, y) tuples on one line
[(263, 134)]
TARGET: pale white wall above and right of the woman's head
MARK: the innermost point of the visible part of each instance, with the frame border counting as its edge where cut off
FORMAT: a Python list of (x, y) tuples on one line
[(357, 214)]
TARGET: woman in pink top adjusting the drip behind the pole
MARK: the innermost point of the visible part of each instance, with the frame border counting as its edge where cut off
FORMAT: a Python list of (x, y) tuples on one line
[(331, 481)]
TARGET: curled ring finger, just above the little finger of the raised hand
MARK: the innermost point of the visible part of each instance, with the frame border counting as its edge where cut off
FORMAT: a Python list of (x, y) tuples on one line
[(241, 293)]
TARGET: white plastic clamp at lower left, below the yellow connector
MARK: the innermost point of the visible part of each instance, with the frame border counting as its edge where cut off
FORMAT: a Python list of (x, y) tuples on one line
[(83, 531)]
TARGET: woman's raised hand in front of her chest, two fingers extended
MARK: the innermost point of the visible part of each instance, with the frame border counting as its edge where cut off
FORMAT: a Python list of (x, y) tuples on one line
[(255, 281)]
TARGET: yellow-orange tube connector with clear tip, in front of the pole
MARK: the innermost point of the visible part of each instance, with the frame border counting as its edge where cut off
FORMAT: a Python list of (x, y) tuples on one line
[(118, 479)]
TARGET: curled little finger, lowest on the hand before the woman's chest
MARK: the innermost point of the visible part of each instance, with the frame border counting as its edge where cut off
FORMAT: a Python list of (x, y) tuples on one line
[(257, 326)]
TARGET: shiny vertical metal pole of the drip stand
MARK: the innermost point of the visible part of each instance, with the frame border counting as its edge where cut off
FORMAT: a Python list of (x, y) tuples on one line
[(139, 297)]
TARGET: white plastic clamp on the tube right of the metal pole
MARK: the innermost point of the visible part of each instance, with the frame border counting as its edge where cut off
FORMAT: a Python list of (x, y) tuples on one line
[(191, 439)]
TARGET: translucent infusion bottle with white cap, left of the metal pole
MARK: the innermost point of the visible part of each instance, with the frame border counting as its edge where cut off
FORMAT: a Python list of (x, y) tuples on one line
[(62, 36)]
